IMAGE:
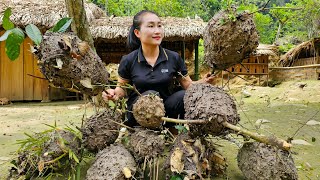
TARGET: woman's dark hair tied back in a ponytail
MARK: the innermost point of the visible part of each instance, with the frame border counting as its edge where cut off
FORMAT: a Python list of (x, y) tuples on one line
[(133, 41)]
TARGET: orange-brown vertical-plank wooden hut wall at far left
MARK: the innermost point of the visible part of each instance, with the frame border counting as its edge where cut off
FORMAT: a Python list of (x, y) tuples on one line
[(17, 78)]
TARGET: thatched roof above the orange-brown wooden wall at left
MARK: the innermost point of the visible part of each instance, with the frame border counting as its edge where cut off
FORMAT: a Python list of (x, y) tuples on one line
[(43, 13)]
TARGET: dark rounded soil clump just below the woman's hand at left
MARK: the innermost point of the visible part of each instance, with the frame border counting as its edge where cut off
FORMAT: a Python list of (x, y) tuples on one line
[(101, 129)]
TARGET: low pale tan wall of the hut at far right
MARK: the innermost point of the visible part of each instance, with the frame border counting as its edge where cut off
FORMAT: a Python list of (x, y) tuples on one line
[(295, 73)]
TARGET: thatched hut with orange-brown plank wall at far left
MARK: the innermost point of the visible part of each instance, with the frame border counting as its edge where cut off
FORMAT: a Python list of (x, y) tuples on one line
[(21, 79)]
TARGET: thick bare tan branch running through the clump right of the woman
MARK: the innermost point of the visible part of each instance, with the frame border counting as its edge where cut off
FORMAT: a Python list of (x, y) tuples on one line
[(271, 140)]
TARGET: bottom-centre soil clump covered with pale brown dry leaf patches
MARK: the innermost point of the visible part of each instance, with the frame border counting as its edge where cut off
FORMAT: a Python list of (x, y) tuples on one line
[(196, 158)]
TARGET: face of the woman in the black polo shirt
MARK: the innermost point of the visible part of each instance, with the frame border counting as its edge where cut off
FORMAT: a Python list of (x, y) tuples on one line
[(151, 30)]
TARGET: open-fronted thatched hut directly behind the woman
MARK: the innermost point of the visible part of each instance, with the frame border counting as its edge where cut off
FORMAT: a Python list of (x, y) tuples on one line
[(181, 35)]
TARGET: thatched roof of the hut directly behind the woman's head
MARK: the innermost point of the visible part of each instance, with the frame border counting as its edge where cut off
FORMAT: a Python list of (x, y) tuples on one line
[(117, 28)]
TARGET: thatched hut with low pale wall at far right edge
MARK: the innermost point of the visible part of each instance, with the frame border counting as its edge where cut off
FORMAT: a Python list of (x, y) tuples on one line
[(300, 63)]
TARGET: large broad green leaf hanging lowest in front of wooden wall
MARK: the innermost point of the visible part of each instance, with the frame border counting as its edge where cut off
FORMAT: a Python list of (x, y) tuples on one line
[(13, 43)]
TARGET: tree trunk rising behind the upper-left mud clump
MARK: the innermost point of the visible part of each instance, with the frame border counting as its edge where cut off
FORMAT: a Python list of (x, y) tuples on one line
[(80, 23)]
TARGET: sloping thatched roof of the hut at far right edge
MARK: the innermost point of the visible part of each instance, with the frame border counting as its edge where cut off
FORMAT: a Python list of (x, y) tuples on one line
[(309, 48)]
